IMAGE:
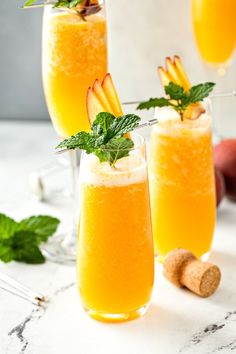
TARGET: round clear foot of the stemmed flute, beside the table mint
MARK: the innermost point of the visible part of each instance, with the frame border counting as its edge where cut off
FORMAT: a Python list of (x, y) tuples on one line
[(61, 249)]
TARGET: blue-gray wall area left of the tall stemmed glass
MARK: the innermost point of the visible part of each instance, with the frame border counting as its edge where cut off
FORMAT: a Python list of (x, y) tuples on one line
[(21, 93)]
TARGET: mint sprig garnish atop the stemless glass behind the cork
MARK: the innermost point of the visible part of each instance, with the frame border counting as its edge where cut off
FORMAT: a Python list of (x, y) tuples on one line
[(178, 98)]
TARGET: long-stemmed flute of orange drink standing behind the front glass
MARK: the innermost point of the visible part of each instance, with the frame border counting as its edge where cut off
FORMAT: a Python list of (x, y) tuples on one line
[(74, 55)]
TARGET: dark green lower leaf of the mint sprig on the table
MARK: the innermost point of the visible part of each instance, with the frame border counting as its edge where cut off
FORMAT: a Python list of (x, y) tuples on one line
[(25, 247)]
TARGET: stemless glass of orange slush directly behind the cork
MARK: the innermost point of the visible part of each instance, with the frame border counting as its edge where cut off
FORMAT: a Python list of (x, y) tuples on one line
[(182, 184)]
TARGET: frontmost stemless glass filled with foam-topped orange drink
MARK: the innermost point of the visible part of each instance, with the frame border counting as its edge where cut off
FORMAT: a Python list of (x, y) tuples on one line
[(115, 264)]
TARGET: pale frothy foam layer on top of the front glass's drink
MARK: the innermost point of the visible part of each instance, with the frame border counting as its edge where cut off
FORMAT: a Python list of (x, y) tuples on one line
[(128, 170)]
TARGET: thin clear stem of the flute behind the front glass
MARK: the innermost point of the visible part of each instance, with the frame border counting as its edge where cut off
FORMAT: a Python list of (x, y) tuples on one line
[(71, 239)]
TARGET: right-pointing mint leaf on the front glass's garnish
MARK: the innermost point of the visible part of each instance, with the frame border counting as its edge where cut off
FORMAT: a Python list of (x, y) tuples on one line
[(122, 125)]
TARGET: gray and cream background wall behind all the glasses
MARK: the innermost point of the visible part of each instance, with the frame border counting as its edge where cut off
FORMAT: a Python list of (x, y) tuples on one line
[(140, 36)]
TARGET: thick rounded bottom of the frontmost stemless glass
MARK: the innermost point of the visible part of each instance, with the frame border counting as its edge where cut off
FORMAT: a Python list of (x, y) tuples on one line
[(117, 317)]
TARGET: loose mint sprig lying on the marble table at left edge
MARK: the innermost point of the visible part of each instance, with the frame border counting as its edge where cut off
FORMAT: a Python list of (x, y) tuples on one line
[(19, 241)]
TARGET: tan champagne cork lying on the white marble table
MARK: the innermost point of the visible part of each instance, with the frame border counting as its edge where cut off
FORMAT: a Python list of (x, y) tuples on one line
[(183, 269)]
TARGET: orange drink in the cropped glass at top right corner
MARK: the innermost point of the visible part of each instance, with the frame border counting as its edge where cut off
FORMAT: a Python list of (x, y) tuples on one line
[(214, 23)]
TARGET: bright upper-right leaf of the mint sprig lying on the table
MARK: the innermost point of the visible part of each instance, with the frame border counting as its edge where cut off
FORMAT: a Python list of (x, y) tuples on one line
[(42, 225)]
